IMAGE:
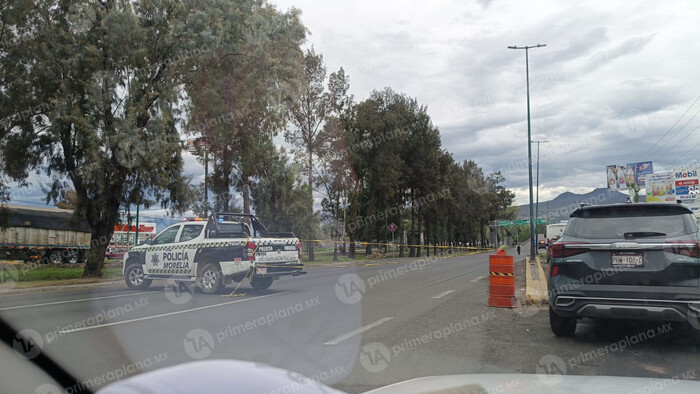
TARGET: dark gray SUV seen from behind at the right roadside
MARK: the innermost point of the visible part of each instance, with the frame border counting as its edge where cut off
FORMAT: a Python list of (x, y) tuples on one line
[(625, 261)]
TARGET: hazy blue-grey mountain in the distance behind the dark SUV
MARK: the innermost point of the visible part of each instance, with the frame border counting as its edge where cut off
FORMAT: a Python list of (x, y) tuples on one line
[(562, 205)]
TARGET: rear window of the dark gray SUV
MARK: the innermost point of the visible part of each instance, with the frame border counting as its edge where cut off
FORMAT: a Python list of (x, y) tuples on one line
[(614, 222)]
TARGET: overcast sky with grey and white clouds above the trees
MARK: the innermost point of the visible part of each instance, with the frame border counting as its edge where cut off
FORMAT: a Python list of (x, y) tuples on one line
[(612, 80)]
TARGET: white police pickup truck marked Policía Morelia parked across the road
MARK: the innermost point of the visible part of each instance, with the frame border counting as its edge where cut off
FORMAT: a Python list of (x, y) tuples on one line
[(213, 252)]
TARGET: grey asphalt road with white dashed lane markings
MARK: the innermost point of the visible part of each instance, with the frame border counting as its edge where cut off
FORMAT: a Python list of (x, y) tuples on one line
[(354, 328)]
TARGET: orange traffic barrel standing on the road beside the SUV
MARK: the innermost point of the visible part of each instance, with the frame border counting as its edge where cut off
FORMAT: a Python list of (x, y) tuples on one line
[(501, 280)]
